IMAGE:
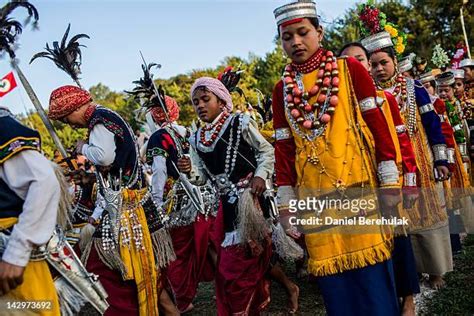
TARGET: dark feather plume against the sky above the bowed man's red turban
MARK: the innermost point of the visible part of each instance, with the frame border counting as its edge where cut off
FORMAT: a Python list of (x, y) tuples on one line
[(67, 56)]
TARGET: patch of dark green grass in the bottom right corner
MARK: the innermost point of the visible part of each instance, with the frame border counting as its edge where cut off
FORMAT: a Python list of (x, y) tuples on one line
[(457, 298)]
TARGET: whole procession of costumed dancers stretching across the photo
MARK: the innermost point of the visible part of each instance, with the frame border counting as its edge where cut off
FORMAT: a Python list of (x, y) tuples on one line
[(154, 214)]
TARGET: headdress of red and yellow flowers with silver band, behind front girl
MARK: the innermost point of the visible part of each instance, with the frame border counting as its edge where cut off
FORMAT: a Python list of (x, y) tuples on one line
[(373, 23)]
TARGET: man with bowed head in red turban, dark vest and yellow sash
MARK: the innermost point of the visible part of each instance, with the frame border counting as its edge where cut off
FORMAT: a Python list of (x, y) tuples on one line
[(122, 250)]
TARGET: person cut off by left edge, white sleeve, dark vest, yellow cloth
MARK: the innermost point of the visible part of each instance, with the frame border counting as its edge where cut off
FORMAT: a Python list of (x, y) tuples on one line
[(29, 197)]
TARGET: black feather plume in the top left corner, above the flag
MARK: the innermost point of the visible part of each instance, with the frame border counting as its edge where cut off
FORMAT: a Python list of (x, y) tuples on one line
[(10, 28)]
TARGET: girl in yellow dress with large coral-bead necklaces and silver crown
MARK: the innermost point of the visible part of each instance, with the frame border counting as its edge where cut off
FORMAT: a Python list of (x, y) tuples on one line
[(324, 109)]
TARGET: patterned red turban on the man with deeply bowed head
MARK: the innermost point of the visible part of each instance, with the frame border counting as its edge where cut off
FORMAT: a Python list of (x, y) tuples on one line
[(65, 100)]
